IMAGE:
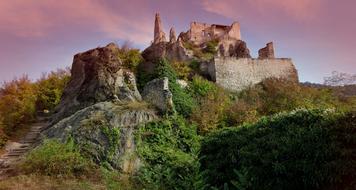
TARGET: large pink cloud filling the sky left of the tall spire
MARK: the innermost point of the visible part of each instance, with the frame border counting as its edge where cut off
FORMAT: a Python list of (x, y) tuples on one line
[(34, 18)]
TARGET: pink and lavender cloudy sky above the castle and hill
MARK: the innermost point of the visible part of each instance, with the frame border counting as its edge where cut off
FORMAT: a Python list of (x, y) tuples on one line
[(38, 36)]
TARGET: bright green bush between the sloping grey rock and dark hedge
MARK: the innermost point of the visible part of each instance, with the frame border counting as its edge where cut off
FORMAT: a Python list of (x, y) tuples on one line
[(168, 149)]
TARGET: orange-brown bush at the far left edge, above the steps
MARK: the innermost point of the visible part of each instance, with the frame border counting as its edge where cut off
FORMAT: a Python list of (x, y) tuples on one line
[(17, 103)]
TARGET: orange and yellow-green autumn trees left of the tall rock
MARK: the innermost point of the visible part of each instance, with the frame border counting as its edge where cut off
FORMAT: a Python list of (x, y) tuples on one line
[(21, 99)]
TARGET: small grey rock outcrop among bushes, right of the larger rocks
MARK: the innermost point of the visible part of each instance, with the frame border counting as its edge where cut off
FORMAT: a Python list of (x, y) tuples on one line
[(157, 93)]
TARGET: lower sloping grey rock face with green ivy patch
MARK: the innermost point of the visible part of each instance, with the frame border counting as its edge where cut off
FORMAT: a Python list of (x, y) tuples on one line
[(105, 132)]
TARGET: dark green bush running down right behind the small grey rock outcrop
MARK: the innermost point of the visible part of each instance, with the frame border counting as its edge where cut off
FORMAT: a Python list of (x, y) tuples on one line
[(183, 102)]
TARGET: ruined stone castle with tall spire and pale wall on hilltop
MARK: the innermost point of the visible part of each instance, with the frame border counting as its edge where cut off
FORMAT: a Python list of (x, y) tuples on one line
[(232, 66)]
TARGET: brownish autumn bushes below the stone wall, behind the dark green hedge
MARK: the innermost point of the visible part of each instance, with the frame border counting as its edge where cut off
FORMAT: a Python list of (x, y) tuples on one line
[(274, 95)]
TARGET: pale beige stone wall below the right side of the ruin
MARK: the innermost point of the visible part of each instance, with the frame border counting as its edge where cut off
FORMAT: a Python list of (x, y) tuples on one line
[(237, 74)]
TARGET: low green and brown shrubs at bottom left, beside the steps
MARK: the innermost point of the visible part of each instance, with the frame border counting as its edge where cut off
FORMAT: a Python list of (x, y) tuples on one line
[(56, 165)]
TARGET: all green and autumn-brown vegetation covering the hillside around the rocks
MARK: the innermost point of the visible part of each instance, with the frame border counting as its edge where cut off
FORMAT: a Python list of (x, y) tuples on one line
[(274, 135)]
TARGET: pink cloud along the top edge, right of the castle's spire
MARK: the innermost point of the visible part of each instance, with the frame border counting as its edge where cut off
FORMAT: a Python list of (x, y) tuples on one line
[(299, 10)]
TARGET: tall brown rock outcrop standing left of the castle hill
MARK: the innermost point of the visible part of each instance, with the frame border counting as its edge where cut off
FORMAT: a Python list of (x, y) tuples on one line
[(97, 75)]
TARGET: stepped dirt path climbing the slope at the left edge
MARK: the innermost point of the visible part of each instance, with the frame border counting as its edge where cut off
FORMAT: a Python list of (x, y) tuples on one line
[(16, 150)]
